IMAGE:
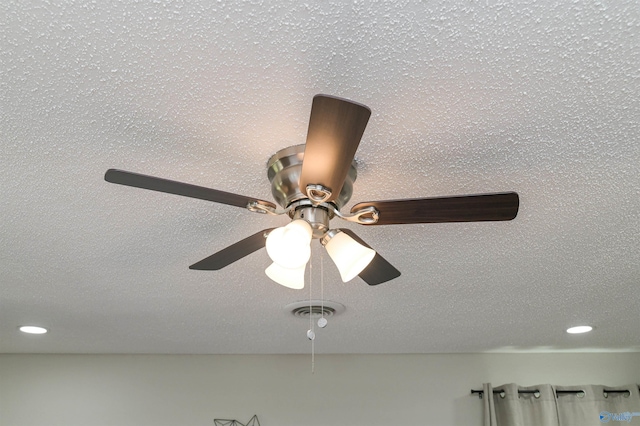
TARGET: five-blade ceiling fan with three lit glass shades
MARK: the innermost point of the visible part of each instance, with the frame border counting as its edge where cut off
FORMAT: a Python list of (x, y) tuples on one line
[(311, 183)]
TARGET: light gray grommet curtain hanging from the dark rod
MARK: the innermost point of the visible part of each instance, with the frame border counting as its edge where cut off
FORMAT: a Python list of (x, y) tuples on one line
[(594, 406)]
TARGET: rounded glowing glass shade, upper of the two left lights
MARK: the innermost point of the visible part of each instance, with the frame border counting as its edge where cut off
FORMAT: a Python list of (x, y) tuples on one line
[(289, 246)]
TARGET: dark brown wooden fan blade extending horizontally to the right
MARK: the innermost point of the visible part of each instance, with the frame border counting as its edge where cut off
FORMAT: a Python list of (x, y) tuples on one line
[(467, 208)]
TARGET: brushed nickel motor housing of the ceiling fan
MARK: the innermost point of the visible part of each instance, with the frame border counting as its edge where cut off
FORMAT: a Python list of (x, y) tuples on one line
[(284, 169)]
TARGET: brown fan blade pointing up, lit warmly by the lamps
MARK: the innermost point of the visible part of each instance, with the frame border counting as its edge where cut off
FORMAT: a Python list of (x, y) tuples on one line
[(335, 128)]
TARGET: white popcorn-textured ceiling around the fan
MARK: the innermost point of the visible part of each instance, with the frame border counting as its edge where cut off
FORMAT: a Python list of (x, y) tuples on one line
[(537, 97)]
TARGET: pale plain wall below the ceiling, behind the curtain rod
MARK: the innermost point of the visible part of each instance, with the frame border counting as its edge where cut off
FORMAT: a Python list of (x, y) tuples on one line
[(345, 390)]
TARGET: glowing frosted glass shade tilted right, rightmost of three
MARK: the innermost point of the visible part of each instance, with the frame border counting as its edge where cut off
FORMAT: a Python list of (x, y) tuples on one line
[(349, 256)]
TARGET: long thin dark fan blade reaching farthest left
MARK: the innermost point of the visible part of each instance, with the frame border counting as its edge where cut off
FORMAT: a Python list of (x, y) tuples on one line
[(178, 188)]
